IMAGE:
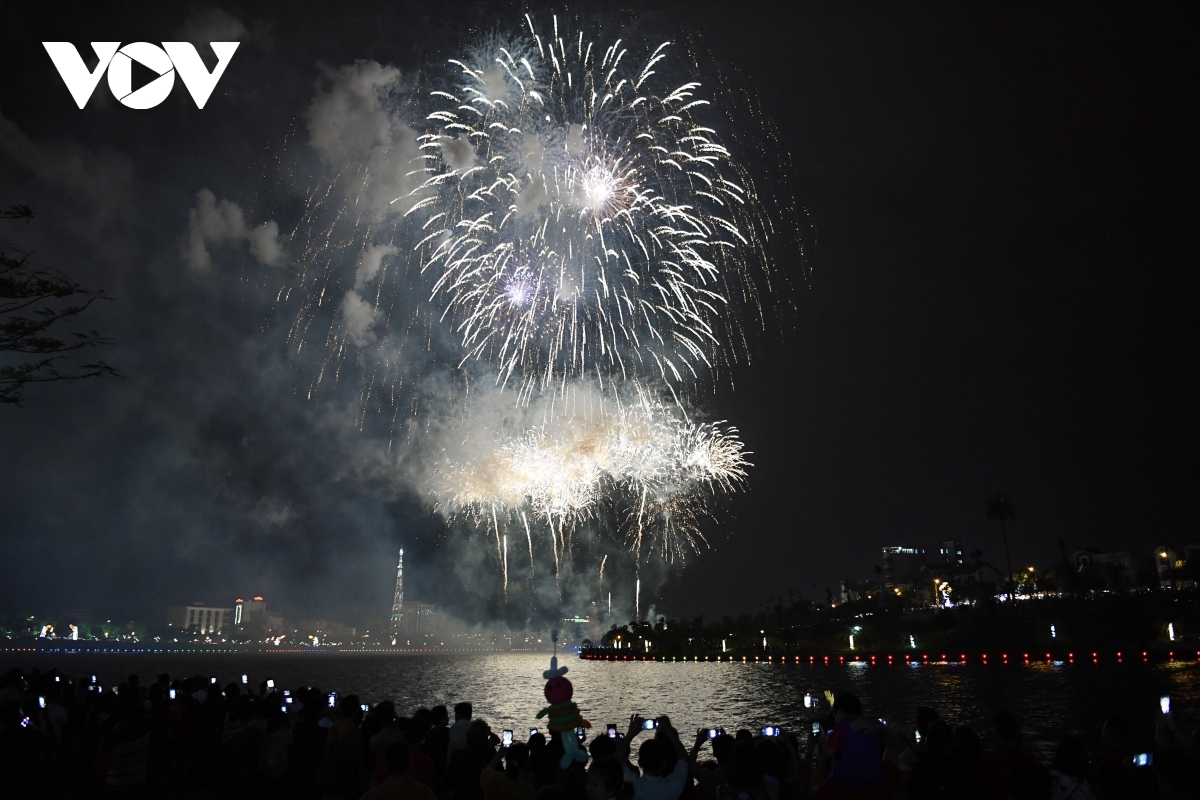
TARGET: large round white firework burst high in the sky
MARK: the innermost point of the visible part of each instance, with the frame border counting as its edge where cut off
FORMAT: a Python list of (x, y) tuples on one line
[(580, 218)]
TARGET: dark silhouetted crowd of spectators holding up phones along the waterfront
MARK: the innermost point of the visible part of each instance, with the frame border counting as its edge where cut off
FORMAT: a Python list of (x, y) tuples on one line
[(191, 738)]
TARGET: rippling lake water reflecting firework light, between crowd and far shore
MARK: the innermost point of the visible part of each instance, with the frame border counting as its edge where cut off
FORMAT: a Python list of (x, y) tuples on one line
[(506, 689)]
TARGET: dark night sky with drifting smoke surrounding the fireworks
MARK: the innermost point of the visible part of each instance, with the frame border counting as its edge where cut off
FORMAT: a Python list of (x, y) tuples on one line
[(1001, 299)]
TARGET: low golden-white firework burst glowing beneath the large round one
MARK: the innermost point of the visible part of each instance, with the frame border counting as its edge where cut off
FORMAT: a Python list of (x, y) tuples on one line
[(645, 450)]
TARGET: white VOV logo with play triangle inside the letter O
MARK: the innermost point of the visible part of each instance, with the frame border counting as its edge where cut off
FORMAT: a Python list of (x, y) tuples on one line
[(165, 62)]
